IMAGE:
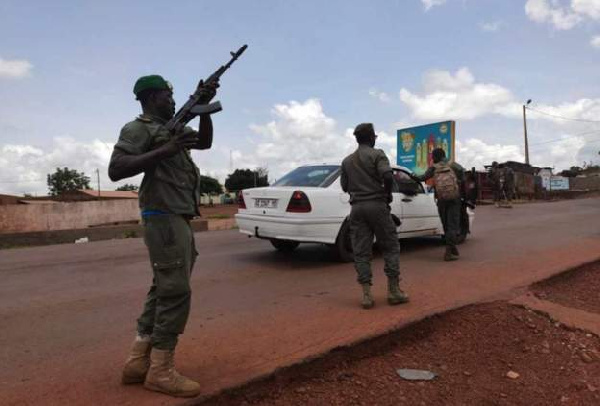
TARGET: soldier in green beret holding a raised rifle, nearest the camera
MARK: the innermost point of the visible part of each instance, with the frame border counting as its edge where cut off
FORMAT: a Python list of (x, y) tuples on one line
[(169, 196)]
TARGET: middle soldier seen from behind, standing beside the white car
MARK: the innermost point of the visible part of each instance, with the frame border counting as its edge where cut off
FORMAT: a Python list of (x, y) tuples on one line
[(367, 176)]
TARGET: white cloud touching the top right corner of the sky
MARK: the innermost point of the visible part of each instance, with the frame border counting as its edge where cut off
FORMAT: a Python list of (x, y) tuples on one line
[(563, 16)]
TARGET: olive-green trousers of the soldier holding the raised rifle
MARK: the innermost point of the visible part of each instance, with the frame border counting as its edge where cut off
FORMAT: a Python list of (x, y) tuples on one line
[(170, 242)]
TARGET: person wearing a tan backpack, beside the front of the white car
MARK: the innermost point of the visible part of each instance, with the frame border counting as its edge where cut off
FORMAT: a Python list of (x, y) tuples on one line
[(449, 191)]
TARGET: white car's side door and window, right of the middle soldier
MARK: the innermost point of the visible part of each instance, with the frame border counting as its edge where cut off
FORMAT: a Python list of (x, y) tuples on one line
[(417, 207)]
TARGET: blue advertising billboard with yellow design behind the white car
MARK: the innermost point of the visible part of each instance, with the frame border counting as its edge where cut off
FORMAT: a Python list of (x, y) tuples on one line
[(416, 143)]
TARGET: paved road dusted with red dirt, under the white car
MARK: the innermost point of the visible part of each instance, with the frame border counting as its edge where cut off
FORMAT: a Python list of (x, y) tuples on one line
[(67, 312)]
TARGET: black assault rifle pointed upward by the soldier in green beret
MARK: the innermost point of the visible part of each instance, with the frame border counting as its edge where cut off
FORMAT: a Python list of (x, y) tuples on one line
[(194, 106)]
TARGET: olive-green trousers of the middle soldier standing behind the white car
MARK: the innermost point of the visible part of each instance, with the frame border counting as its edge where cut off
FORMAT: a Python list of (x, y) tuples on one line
[(368, 219)]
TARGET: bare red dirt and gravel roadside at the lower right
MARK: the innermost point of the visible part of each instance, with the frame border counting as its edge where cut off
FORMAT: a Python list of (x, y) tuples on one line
[(471, 350)]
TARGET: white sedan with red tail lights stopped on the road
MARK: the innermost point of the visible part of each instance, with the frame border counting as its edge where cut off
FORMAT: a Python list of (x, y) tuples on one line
[(308, 206)]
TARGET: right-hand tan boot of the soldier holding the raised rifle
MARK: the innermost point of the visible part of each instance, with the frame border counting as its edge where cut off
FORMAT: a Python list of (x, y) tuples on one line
[(162, 376)]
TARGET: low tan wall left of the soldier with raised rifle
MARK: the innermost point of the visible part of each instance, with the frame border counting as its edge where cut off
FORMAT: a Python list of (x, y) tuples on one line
[(64, 216)]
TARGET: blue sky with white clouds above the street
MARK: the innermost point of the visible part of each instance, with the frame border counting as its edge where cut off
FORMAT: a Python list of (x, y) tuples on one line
[(313, 70)]
